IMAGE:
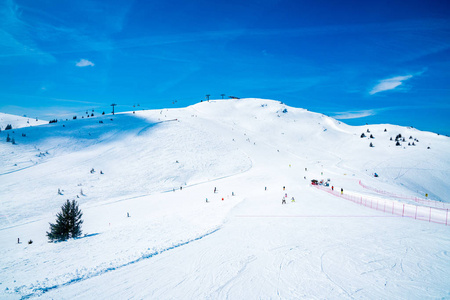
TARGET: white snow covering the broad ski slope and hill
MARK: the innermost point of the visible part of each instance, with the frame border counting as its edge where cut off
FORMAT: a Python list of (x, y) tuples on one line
[(160, 166)]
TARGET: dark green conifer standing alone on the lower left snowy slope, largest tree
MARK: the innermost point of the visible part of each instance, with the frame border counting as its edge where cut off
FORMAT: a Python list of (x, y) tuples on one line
[(68, 223)]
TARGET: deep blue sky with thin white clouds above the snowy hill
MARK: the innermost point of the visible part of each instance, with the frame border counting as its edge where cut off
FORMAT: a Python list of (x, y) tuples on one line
[(360, 61)]
